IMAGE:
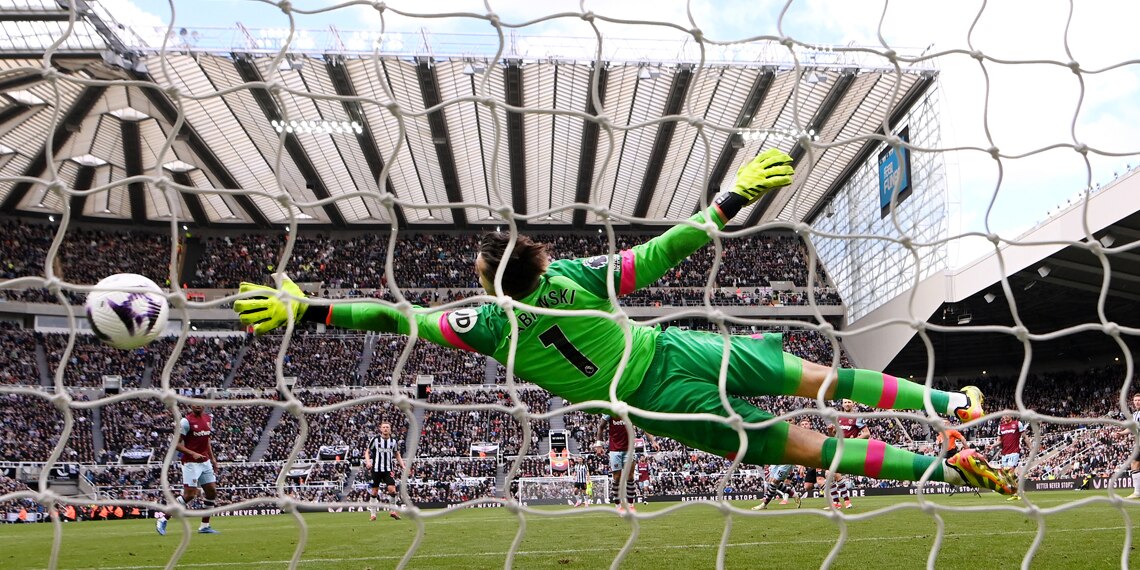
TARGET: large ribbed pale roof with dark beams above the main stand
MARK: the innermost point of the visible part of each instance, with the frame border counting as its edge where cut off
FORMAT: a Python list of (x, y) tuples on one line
[(341, 136)]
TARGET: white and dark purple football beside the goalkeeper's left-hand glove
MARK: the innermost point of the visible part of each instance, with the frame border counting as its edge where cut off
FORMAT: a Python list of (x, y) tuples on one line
[(131, 314)]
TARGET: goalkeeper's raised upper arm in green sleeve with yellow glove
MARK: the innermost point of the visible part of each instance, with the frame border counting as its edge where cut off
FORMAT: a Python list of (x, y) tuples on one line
[(646, 264)]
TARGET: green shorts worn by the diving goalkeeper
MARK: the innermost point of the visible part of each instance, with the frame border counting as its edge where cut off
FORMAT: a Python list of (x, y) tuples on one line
[(683, 380)]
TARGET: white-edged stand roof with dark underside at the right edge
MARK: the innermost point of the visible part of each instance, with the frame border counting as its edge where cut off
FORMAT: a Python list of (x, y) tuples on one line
[(1056, 281)]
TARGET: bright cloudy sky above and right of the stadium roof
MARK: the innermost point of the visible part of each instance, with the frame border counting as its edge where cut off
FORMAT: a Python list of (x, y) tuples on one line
[(1020, 108)]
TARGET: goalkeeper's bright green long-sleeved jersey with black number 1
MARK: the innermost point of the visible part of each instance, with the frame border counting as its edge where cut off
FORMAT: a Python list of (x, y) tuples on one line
[(576, 357)]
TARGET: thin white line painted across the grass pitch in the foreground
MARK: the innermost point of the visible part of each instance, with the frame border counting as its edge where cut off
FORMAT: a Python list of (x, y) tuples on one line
[(580, 551)]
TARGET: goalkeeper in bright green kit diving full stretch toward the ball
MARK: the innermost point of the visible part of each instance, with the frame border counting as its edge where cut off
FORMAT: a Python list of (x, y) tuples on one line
[(675, 371)]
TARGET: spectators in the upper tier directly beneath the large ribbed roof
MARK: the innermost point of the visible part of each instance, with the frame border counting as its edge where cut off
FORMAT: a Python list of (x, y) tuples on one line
[(355, 265)]
